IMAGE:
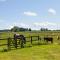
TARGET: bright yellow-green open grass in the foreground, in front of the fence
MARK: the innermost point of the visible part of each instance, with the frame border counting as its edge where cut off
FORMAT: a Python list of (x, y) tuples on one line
[(40, 52)]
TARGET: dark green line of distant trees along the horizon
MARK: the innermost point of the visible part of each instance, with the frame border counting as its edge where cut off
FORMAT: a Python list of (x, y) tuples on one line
[(18, 29)]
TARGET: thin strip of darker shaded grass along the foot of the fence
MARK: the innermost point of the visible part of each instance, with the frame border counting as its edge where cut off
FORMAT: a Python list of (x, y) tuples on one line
[(28, 46)]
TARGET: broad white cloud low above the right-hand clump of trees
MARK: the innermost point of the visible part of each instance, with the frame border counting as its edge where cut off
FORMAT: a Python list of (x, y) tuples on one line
[(49, 25)]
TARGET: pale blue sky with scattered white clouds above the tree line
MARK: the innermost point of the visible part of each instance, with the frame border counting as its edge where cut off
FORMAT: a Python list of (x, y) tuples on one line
[(33, 14)]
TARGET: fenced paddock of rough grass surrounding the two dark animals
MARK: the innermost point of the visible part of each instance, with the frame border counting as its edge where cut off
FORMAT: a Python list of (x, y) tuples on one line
[(32, 38)]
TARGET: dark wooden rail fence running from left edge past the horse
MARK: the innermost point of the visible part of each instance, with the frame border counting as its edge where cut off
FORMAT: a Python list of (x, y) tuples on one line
[(12, 42)]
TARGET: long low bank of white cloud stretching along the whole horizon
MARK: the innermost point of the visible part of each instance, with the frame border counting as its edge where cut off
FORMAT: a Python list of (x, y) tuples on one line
[(33, 26)]
